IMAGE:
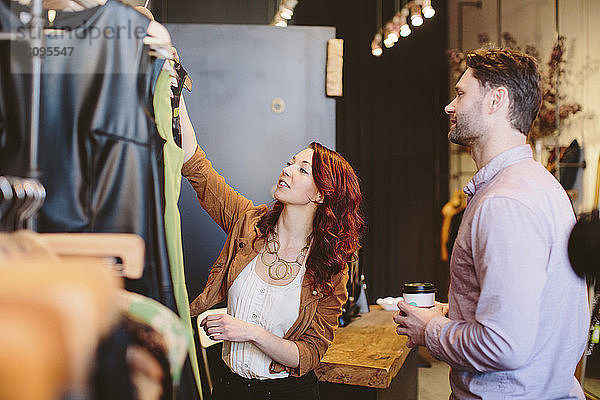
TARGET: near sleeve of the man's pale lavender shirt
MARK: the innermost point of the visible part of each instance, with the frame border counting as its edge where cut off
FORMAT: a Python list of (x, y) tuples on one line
[(511, 248)]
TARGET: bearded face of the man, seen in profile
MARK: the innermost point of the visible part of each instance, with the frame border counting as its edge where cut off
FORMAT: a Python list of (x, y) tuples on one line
[(466, 111)]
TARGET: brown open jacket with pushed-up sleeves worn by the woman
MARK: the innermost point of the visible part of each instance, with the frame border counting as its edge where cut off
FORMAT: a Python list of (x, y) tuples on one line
[(238, 217)]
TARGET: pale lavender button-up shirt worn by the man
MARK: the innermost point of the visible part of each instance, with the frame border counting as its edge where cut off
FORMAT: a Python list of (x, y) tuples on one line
[(518, 316)]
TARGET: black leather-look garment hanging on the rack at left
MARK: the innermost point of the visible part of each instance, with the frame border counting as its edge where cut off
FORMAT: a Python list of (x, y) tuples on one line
[(100, 155)]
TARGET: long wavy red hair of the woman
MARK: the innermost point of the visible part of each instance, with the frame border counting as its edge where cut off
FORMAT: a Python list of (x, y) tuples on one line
[(338, 222)]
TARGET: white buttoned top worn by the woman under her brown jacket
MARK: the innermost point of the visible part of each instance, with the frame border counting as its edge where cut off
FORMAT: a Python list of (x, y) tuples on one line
[(275, 308)]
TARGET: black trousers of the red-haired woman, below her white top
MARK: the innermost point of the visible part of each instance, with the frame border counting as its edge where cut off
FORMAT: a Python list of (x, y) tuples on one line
[(232, 386)]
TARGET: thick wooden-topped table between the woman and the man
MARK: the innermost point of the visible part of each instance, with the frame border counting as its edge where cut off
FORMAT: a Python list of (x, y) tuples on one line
[(368, 360)]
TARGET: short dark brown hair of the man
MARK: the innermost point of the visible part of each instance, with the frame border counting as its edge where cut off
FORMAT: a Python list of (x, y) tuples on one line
[(516, 71)]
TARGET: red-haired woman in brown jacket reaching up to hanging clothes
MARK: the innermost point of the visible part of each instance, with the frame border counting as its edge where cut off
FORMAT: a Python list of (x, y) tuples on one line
[(282, 269)]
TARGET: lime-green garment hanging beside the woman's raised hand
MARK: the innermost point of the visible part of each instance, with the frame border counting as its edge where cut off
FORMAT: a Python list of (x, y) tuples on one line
[(173, 161)]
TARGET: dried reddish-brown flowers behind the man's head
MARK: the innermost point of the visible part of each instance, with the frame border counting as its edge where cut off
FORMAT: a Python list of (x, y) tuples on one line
[(545, 124)]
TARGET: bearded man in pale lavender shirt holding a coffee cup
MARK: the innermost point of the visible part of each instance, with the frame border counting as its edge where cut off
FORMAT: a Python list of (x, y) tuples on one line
[(518, 315)]
